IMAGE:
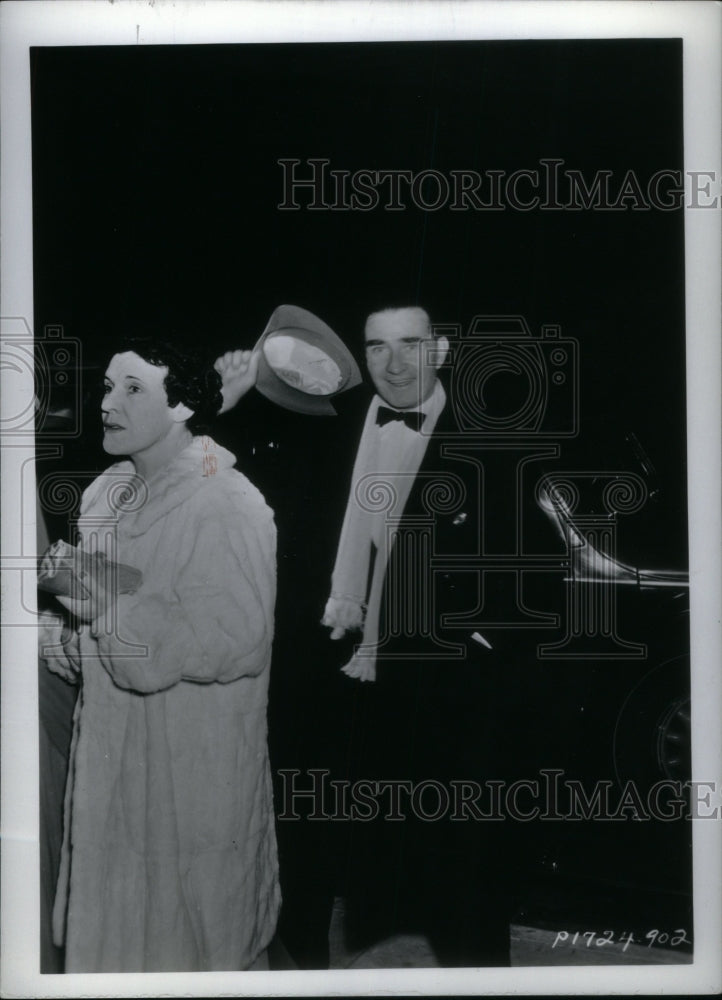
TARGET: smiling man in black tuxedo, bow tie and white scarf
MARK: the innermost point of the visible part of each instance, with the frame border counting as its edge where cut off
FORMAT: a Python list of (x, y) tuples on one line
[(427, 718)]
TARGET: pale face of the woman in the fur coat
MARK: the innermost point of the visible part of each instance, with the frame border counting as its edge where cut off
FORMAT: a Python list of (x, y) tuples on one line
[(136, 414)]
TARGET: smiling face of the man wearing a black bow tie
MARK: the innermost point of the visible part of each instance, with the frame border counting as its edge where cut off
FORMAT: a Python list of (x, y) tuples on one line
[(399, 356)]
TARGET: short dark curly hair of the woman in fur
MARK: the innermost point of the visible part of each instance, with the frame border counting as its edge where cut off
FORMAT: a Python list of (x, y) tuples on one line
[(189, 380)]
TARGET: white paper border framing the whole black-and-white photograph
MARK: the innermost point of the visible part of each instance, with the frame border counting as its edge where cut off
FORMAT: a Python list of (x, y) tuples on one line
[(132, 22)]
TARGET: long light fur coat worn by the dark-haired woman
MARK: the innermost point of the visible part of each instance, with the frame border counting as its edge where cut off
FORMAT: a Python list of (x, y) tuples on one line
[(169, 856)]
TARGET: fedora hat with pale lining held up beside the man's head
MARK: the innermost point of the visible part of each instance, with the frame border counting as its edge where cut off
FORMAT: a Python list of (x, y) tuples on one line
[(303, 362)]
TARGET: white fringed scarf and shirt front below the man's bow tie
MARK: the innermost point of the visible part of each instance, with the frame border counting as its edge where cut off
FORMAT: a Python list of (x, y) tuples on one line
[(386, 465)]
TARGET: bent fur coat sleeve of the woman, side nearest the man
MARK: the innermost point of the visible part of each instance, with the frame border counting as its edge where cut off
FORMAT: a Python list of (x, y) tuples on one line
[(216, 624)]
